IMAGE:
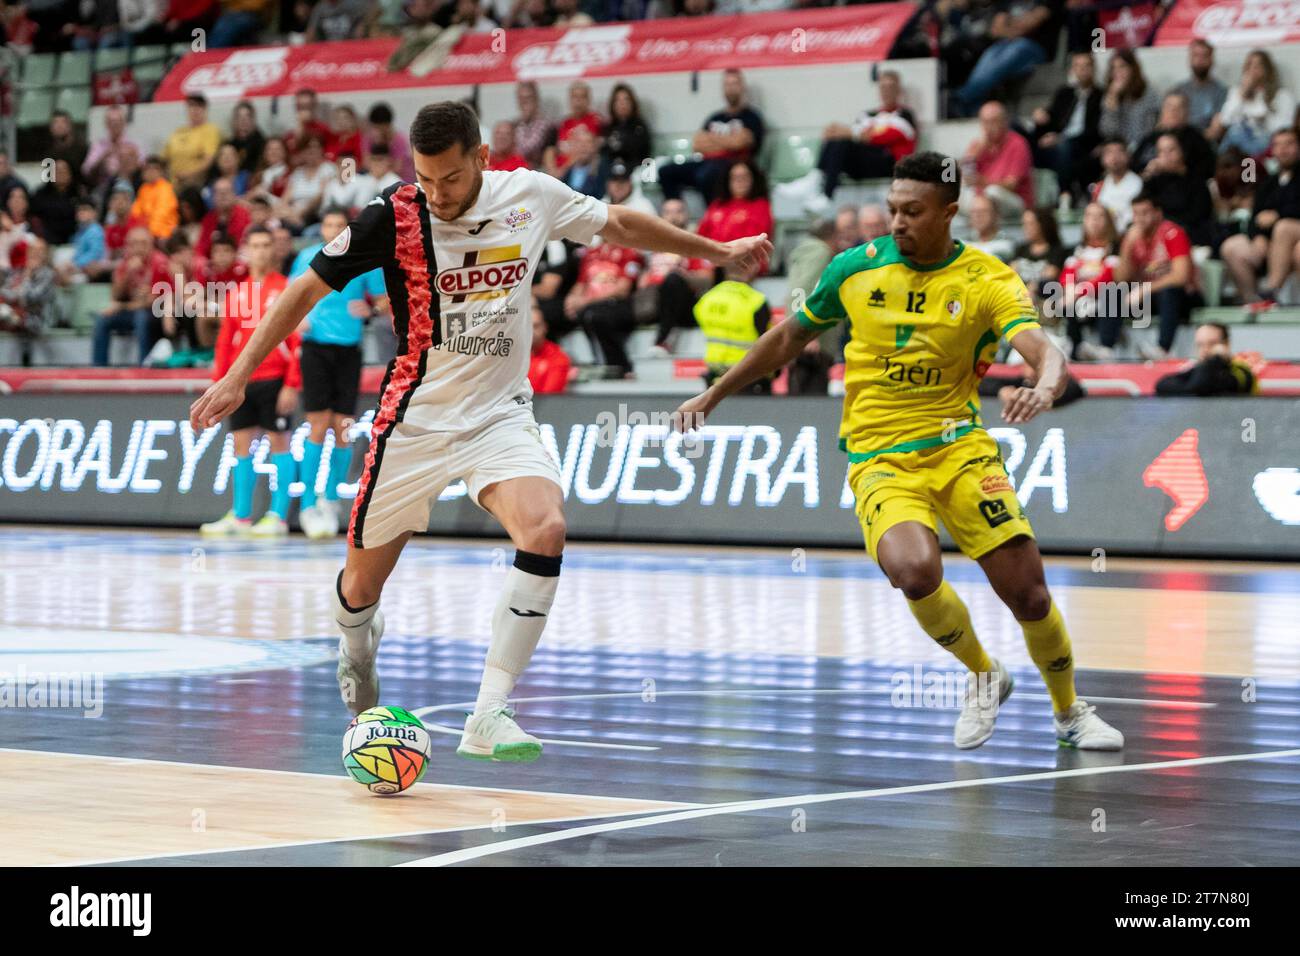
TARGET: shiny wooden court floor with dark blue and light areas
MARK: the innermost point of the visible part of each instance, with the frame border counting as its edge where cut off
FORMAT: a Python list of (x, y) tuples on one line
[(700, 707)]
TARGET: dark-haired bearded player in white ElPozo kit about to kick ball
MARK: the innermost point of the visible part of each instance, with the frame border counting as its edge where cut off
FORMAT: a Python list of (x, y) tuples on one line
[(458, 249)]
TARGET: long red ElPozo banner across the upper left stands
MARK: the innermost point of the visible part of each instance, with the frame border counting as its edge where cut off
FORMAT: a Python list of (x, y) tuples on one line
[(795, 38)]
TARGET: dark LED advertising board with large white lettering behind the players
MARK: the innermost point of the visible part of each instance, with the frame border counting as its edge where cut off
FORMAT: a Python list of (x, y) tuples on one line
[(1155, 477)]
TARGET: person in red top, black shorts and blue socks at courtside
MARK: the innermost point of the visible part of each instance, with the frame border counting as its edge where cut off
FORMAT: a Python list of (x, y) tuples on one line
[(271, 397)]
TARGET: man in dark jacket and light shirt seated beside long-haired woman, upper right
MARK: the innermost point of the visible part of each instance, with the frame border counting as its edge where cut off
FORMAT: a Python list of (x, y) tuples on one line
[(1065, 136)]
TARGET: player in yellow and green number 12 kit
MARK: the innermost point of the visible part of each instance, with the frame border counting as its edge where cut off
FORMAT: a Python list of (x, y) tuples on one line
[(926, 315)]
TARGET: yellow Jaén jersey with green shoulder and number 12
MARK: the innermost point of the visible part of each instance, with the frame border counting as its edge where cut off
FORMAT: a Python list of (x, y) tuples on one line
[(921, 340)]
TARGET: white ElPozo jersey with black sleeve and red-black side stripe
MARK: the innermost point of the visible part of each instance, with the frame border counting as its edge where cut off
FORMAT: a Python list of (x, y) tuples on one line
[(461, 292)]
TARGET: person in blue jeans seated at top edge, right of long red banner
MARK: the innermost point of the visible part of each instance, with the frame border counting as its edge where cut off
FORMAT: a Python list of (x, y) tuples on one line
[(1025, 36)]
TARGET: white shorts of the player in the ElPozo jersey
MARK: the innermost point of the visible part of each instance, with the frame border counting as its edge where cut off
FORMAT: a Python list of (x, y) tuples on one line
[(409, 469)]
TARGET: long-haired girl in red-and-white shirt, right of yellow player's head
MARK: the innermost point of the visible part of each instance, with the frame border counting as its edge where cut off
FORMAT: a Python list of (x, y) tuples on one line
[(1087, 287)]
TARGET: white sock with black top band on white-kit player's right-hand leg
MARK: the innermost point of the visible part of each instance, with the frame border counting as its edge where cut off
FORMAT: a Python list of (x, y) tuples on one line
[(517, 626)]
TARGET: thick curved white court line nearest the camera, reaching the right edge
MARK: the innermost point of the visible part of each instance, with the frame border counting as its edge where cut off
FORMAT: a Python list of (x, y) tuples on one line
[(751, 806)]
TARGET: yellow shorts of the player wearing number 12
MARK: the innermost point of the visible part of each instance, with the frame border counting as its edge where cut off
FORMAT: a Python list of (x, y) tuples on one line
[(964, 483)]
